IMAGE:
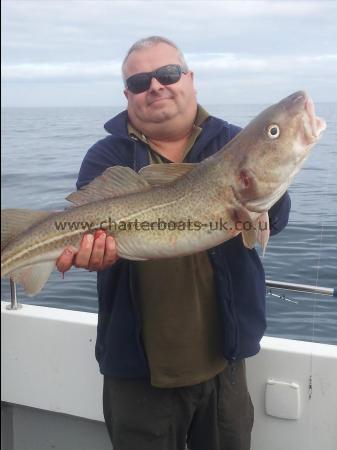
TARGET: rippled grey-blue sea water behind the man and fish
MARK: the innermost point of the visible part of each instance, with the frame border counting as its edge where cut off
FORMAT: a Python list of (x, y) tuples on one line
[(42, 149)]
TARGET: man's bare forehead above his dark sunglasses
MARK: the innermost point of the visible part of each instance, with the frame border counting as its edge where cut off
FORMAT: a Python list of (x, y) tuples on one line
[(150, 58)]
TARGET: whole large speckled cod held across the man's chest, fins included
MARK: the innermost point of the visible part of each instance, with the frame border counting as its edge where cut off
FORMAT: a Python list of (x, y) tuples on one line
[(172, 209)]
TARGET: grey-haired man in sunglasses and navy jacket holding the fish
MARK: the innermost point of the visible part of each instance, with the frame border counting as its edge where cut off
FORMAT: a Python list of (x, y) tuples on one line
[(172, 334)]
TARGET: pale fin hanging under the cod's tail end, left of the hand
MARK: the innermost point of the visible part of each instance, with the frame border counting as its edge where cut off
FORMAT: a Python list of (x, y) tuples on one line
[(33, 278)]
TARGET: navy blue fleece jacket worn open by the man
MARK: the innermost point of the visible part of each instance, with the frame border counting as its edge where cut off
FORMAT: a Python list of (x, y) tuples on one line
[(238, 272)]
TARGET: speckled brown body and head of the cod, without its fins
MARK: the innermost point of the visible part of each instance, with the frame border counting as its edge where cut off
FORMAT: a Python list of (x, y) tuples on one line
[(242, 180)]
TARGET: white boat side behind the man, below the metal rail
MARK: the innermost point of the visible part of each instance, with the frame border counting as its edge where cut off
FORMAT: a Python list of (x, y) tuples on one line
[(52, 389)]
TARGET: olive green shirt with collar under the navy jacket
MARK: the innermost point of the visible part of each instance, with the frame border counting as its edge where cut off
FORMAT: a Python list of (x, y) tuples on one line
[(179, 314)]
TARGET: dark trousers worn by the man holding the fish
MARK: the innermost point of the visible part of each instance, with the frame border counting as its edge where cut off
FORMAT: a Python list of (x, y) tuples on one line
[(214, 415)]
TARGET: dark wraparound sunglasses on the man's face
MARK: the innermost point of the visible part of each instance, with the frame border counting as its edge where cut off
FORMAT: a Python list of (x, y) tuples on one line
[(166, 75)]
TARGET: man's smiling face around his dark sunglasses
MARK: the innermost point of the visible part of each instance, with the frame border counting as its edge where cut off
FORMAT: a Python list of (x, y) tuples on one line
[(159, 103)]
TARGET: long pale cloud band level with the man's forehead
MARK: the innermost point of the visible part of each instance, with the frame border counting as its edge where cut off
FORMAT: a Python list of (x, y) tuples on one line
[(219, 64)]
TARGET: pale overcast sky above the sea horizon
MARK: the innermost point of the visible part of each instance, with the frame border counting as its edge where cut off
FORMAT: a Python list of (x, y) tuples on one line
[(68, 53)]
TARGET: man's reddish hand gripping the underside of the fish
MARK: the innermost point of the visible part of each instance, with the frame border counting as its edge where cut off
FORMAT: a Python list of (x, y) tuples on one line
[(95, 253)]
